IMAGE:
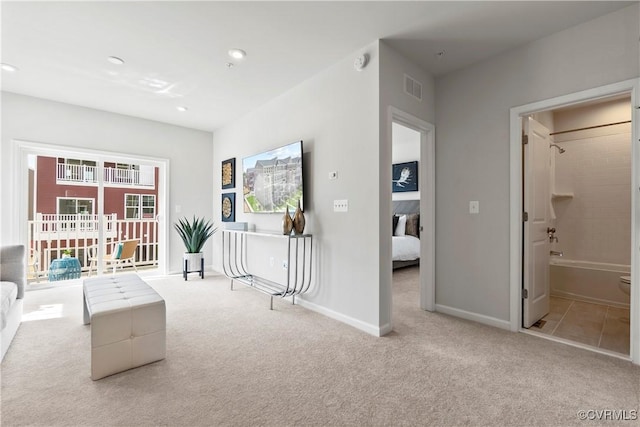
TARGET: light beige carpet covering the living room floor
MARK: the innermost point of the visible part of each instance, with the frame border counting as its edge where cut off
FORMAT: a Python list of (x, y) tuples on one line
[(231, 361)]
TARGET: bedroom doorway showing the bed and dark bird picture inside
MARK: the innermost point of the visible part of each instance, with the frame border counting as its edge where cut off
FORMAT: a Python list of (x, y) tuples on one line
[(412, 199)]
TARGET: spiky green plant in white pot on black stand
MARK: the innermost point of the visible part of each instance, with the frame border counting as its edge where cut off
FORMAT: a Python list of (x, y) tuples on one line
[(194, 234)]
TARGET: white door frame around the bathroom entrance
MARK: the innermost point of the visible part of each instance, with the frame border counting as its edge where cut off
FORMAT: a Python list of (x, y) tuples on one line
[(632, 87)]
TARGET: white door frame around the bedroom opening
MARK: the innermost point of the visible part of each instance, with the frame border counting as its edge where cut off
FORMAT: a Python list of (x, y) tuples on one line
[(427, 189)]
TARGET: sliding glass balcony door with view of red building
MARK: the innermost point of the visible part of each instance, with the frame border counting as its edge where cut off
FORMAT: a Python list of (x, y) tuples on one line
[(78, 204)]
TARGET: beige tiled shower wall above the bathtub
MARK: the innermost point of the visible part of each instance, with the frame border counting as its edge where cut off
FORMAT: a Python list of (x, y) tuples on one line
[(595, 225)]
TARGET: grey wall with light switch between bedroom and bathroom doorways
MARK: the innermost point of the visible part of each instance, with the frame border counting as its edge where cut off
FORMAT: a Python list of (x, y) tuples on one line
[(472, 148)]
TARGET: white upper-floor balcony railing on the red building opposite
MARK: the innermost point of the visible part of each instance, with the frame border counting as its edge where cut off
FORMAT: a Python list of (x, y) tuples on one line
[(88, 175)]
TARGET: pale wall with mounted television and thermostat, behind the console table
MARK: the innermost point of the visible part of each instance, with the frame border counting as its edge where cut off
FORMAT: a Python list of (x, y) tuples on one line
[(335, 113)]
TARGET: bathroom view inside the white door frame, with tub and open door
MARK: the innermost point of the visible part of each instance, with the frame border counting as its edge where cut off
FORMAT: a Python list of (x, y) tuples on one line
[(584, 247)]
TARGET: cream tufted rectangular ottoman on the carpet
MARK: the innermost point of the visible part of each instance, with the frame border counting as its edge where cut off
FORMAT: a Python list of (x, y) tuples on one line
[(128, 323)]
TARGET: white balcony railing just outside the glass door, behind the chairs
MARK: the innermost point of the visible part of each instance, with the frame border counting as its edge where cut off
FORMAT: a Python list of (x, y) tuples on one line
[(51, 234)]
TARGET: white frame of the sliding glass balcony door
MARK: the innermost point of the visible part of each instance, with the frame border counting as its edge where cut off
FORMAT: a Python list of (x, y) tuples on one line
[(23, 148)]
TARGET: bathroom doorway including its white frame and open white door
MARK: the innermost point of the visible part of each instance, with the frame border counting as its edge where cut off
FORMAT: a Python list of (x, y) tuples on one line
[(575, 230)]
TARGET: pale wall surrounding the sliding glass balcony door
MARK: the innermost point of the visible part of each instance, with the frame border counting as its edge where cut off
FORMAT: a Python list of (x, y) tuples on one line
[(38, 120)]
